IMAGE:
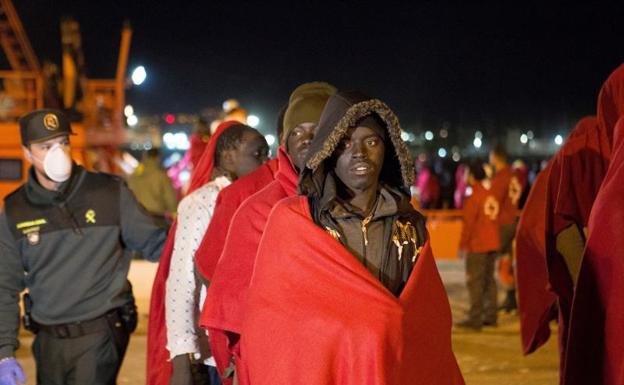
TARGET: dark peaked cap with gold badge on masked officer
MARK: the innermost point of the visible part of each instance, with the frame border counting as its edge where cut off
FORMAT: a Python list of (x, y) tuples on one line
[(41, 125)]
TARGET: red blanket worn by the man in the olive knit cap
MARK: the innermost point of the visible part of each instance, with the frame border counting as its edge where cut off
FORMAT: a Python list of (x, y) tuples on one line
[(222, 314)]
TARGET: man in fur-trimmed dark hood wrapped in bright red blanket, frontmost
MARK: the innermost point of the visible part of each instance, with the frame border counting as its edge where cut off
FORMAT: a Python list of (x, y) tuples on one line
[(345, 289)]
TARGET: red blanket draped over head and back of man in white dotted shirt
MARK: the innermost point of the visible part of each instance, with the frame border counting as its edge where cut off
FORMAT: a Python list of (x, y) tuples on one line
[(159, 367)]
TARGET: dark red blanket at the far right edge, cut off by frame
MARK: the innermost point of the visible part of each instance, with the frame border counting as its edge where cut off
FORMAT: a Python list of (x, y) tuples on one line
[(596, 338)]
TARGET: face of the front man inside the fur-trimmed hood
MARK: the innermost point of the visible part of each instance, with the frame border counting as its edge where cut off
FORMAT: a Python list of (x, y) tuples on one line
[(359, 160)]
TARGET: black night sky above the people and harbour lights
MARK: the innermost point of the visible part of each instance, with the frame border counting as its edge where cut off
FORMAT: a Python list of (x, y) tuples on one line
[(487, 65)]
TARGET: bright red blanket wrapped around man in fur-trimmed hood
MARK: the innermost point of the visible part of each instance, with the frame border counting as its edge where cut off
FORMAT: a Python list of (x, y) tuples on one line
[(315, 315)]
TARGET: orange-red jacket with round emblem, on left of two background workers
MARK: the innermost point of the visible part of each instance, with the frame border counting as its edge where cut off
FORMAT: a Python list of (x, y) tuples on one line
[(480, 230)]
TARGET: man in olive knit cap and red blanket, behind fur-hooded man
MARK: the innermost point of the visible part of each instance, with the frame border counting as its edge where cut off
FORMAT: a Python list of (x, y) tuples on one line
[(224, 307)]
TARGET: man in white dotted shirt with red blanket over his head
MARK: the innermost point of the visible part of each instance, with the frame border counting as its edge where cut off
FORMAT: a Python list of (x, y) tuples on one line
[(234, 150)]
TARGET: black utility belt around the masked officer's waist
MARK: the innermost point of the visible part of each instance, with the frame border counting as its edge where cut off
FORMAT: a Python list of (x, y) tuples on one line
[(124, 317)]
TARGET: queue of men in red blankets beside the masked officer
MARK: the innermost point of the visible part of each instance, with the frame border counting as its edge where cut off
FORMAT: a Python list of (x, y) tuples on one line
[(312, 267)]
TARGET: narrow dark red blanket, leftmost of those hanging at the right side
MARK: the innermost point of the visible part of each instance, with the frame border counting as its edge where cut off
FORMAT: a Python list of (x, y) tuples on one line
[(535, 300)]
